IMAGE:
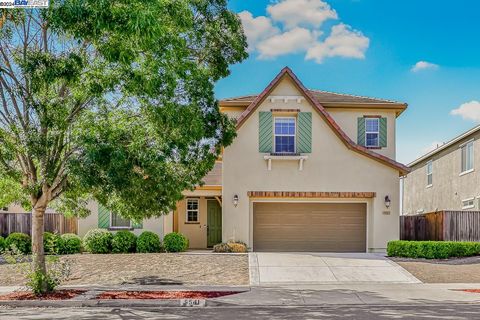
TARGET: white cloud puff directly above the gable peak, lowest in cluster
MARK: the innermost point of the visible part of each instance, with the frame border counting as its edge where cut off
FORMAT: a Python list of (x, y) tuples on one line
[(292, 41)]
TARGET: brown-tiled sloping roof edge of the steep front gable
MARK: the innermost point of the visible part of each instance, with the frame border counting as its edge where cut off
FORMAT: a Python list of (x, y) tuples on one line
[(287, 72)]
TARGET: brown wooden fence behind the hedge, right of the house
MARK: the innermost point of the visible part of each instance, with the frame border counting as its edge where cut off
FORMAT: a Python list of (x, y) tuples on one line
[(441, 226)]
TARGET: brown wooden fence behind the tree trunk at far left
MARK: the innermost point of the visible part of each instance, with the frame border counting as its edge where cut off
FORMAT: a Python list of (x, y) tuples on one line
[(22, 222)]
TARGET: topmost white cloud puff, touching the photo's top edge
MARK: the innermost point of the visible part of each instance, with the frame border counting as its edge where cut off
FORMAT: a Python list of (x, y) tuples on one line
[(294, 13)]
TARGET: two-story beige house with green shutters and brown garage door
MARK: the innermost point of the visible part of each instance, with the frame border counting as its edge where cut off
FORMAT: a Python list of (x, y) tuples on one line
[(309, 170)]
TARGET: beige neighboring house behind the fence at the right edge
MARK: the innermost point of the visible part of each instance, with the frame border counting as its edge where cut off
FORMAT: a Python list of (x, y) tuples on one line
[(445, 178)]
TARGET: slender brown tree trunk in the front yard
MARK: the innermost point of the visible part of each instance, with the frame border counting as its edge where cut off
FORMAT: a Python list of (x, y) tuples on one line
[(38, 255)]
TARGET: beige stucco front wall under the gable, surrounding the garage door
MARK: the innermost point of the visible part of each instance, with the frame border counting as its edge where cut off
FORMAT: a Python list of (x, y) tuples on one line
[(330, 167)]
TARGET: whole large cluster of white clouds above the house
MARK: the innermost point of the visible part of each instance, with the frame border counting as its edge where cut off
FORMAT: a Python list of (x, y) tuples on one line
[(294, 26)]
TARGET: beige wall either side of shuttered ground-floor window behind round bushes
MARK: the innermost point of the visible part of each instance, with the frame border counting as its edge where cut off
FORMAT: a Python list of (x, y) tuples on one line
[(91, 222)]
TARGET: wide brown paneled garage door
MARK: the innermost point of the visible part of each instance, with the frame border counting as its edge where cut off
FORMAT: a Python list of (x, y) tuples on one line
[(321, 227)]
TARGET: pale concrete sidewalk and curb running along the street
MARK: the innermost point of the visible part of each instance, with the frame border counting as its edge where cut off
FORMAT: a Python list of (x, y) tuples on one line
[(291, 295)]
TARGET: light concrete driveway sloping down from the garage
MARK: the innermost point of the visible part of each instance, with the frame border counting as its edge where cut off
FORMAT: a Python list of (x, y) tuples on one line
[(318, 268)]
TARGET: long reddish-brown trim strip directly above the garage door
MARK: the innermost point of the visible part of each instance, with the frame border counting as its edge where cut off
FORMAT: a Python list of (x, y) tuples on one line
[(311, 194)]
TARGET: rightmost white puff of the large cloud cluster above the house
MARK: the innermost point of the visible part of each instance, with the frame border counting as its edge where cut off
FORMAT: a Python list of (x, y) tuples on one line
[(343, 41)]
